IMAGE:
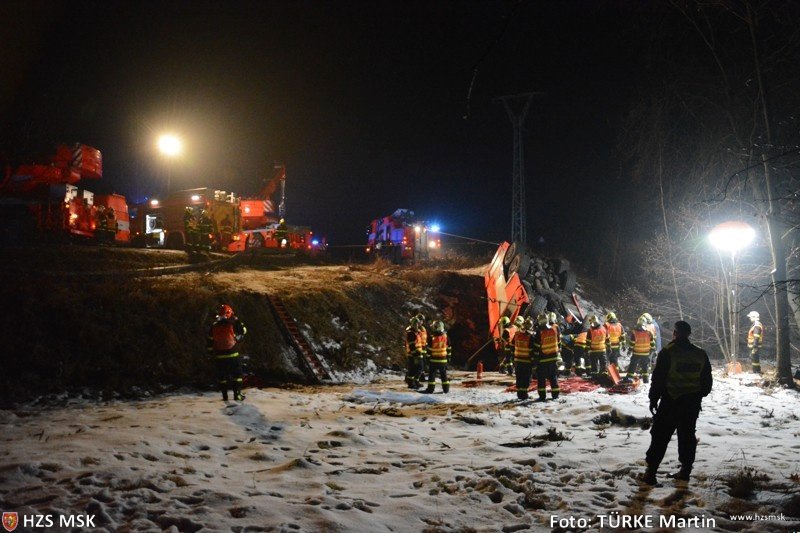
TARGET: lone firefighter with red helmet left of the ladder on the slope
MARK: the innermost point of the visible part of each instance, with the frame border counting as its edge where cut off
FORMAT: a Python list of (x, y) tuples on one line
[(224, 337)]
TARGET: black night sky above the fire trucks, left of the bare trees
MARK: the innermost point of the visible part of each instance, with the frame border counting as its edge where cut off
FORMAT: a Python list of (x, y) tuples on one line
[(365, 102)]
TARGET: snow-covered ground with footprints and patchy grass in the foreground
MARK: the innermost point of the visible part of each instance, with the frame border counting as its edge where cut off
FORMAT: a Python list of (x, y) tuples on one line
[(381, 458)]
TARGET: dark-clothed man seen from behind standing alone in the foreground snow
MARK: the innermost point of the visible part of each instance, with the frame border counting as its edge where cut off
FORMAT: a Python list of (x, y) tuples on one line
[(681, 379)]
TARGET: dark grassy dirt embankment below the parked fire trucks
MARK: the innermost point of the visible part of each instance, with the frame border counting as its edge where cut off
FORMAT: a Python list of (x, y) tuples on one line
[(93, 318)]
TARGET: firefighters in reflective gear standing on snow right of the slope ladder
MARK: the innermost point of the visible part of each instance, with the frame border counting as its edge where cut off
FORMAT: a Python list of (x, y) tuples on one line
[(550, 346)]
